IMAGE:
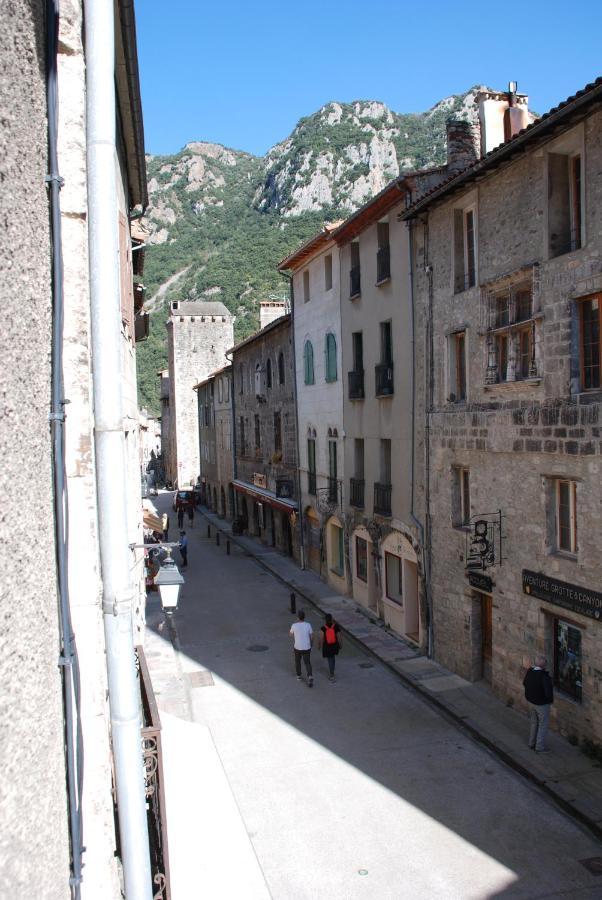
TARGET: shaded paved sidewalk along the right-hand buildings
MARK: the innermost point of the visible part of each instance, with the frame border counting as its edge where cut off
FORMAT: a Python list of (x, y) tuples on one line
[(570, 778)]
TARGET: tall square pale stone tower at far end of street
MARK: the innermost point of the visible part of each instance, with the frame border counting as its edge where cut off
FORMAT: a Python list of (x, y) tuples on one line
[(199, 333)]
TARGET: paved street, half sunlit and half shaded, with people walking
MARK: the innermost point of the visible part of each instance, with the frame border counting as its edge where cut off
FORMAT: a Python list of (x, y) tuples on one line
[(358, 788)]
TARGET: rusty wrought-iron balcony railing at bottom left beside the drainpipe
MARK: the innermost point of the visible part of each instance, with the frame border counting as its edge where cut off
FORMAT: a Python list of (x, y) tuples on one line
[(153, 781)]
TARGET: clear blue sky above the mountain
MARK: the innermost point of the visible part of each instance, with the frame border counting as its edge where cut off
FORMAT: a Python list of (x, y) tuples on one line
[(242, 74)]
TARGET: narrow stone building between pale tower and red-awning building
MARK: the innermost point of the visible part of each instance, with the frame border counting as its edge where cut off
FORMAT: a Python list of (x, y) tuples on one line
[(215, 442)]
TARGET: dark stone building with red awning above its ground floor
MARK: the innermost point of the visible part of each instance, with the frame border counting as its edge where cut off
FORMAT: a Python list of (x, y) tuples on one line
[(265, 436)]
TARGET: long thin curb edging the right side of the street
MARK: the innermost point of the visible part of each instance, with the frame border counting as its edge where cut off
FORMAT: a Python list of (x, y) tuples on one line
[(450, 715)]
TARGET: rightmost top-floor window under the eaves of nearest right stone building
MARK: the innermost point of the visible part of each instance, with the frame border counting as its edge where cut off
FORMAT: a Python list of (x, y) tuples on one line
[(564, 203)]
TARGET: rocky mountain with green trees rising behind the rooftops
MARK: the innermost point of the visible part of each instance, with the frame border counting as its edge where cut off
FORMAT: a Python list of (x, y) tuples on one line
[(221, 219)]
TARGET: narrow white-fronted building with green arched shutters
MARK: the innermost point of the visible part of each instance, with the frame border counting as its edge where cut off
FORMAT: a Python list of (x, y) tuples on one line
[(316, 317)]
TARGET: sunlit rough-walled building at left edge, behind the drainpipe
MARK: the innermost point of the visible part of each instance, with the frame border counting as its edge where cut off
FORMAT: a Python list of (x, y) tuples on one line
[(39, 855)]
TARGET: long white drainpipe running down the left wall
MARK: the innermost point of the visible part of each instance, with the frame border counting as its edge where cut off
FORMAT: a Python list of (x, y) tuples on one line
[(118, 588)]
